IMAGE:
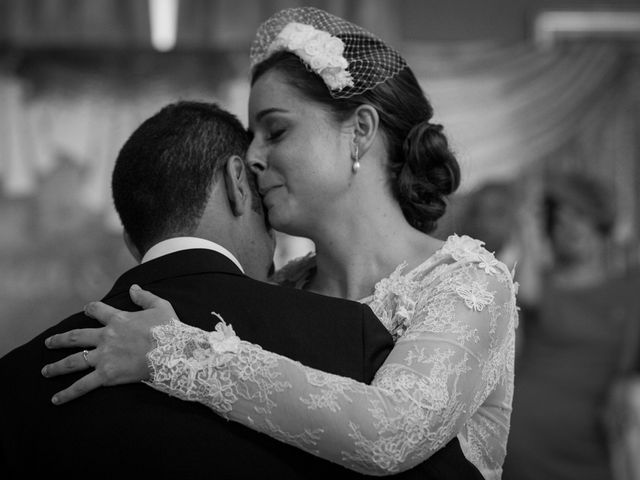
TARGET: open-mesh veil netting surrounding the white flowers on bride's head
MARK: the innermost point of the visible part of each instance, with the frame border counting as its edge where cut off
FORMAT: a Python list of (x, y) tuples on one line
[(370, 60)]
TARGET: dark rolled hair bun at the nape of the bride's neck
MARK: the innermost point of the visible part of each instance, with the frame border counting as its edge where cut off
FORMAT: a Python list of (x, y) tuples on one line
[(430, 173)]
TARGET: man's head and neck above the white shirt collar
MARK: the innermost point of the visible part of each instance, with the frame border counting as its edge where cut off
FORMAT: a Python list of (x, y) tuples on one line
[(182, 173)]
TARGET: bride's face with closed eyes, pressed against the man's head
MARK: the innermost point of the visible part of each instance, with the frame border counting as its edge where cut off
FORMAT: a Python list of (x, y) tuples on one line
[(301, 156)]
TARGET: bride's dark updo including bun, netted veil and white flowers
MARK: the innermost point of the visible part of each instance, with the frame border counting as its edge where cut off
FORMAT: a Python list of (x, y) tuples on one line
[(341, 66)]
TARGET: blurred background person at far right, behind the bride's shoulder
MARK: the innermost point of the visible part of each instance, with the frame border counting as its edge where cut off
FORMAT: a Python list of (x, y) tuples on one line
[(579, 330)]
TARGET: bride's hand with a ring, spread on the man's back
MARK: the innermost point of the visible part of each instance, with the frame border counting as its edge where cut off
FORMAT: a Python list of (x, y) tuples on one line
[(121, 346)]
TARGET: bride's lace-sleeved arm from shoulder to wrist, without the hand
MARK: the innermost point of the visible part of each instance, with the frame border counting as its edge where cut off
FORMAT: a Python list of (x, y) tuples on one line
[(435, 378)]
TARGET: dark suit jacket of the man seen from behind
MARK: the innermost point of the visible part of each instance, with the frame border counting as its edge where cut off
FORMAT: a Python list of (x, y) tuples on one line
[(132, 430)]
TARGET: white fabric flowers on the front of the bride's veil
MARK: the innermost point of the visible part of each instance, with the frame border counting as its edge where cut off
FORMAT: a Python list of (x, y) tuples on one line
[(321, 52)]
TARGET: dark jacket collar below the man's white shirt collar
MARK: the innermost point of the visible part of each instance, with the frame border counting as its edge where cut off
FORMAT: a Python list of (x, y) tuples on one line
[(184, 262)]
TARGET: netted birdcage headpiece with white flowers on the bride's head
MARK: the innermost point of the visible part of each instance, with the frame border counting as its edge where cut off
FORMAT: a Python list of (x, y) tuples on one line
[(369, 61)]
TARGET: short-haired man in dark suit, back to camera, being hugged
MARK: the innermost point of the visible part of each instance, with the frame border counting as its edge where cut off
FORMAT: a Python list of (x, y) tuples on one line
[(193, 220)]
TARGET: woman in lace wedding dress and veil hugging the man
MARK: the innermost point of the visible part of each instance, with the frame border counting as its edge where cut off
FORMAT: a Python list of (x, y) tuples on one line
[(345, 154)]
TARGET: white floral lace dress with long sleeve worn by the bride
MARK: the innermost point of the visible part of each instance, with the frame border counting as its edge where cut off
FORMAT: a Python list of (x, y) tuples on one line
[(450, 373)]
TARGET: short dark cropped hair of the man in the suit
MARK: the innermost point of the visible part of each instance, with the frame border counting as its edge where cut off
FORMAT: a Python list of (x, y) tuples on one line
[(164, 172)]
